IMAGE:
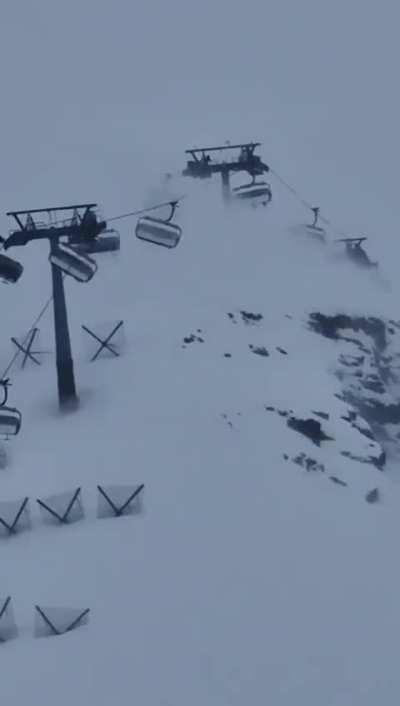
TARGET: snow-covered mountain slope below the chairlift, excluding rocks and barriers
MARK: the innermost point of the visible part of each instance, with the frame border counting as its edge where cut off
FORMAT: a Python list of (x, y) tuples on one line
[(246, 578)]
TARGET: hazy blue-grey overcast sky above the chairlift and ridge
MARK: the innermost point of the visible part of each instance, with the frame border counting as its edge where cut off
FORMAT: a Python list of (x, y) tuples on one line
[(98, 97)]
